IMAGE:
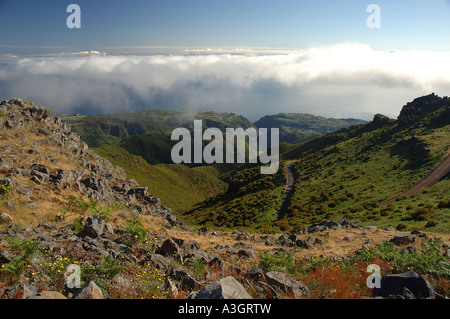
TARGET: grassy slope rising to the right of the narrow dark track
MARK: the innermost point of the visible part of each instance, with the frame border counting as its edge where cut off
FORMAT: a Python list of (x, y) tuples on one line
[(349, 172)]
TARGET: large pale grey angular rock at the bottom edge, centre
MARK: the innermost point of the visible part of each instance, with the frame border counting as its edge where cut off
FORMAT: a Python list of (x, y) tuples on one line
[(225, 288)]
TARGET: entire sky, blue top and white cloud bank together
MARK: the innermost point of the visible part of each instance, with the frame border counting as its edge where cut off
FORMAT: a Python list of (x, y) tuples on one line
[(152, 54)]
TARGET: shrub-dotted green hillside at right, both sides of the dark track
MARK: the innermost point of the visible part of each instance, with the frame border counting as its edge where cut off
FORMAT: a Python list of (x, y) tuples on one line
[(348, 173)]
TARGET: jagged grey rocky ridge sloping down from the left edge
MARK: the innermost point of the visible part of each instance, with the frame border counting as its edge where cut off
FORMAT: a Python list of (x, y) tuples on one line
[(95, 177)]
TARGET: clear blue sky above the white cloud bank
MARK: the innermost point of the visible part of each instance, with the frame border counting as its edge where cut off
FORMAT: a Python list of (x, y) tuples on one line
[(406, 25)]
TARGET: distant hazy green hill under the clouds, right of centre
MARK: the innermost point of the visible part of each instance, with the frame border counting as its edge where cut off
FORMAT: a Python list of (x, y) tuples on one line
[(296, 127)]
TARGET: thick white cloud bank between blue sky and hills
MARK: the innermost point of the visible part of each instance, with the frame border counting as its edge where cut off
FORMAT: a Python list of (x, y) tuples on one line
[(345, 80)]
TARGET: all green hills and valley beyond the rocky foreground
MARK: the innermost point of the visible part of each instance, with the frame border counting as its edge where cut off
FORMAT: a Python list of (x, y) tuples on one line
[(344, 173)]
